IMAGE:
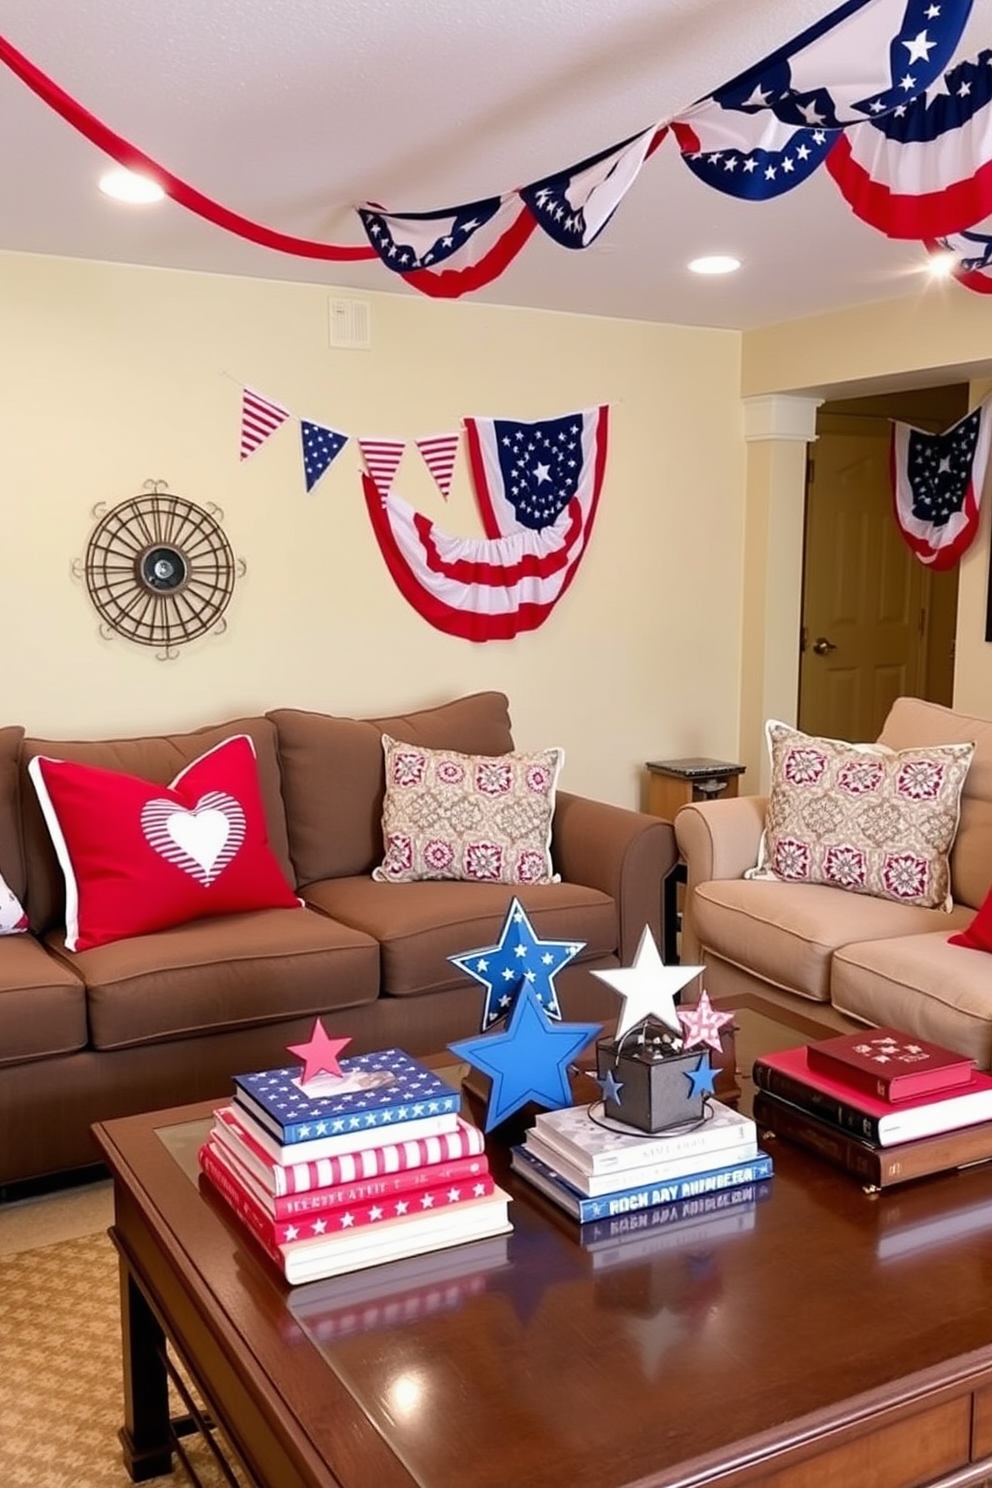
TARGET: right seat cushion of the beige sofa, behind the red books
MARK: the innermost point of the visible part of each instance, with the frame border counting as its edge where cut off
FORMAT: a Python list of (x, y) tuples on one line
[(921, 984)]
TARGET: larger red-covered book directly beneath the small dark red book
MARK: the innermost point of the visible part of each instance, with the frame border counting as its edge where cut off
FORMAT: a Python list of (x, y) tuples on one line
[(788, 1074)]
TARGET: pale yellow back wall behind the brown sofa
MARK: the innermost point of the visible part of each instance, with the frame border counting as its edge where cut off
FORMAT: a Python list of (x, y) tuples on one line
[(115, 376)]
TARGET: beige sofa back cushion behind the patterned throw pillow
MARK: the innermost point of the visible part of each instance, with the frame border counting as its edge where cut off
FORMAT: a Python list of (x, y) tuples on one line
[(914, 722)]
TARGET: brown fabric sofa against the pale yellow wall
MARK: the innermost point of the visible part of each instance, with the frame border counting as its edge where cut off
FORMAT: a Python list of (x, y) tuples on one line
[(169, 1019)]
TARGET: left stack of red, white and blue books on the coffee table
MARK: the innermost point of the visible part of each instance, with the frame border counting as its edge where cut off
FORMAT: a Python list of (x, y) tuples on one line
[(353, 1170)]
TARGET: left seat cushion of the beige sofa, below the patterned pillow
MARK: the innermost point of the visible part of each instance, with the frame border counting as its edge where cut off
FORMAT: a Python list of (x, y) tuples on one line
[(788, 934)]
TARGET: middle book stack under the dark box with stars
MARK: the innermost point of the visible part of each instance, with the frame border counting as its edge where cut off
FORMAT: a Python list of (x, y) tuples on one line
[(597, 1169)]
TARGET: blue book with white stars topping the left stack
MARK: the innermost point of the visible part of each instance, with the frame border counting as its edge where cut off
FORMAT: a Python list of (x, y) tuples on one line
[(377, 1097)]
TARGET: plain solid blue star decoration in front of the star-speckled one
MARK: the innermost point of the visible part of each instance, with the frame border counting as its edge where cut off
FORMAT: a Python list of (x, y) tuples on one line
[(529, 1062)]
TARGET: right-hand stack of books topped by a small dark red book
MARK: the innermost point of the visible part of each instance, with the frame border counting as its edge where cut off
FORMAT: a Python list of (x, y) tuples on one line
[(883, 1105)]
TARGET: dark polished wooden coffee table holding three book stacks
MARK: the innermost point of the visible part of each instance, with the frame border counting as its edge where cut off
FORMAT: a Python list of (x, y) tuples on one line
[(816, 1337)]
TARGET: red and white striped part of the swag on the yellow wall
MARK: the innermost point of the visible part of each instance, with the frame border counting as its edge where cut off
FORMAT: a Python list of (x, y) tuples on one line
[(496, 587)]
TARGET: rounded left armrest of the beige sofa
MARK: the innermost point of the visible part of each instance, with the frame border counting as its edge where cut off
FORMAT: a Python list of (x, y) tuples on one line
[(716, 840)]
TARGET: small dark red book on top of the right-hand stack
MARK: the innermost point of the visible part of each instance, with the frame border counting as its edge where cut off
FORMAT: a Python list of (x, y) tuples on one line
[(890, 1065)]
